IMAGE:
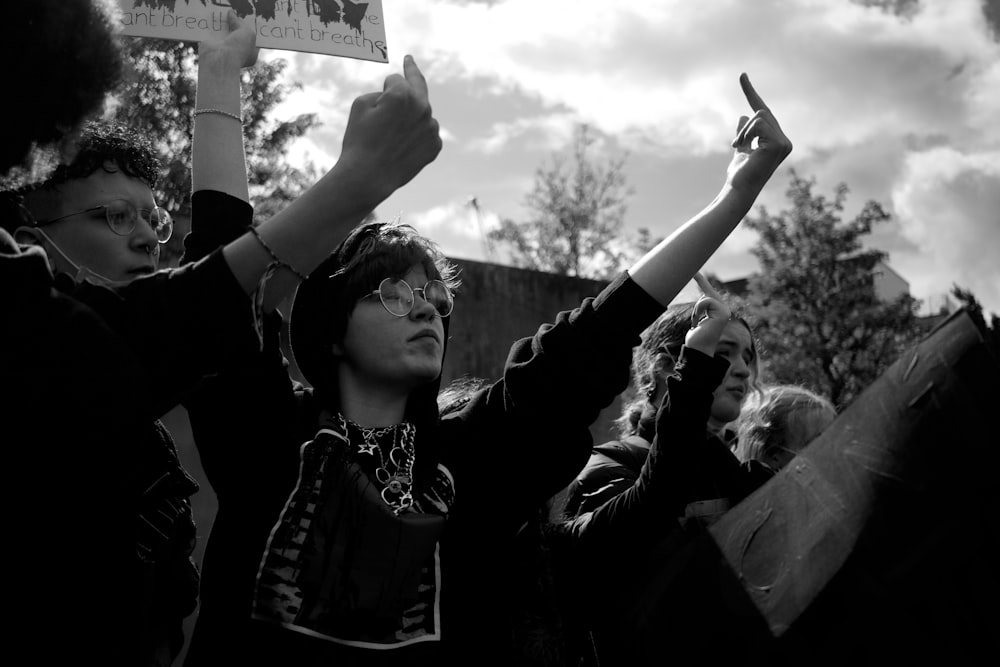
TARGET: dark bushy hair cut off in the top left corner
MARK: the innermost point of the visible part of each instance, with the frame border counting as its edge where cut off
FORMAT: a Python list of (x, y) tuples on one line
[(61, 58)]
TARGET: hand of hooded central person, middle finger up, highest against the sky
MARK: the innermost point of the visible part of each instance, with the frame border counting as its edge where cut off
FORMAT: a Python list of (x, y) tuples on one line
[(760, 144)]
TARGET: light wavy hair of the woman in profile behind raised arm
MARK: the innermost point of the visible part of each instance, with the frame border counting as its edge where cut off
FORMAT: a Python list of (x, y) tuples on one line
[(665, 337)]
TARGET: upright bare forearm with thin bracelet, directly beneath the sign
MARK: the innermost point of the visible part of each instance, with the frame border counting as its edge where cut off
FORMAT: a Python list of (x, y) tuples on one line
[(218, 156)]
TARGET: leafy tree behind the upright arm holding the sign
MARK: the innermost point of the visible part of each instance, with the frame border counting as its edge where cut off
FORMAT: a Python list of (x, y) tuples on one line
[(158, 98)]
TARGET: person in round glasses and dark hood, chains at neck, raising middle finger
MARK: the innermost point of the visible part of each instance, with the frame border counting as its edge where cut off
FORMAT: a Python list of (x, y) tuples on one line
[(356, 524)]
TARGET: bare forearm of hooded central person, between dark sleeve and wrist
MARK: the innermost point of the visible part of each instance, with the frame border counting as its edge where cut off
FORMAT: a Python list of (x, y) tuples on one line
[(668, 267)]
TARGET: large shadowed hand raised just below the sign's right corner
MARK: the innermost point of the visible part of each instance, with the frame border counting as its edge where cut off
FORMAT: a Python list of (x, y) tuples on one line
[(390, 135)]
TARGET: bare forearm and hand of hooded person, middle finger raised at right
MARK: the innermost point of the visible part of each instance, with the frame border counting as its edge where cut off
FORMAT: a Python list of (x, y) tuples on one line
[(760, 146)]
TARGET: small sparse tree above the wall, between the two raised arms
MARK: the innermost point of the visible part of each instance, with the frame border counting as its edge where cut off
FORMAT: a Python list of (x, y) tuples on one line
[(578, 214)]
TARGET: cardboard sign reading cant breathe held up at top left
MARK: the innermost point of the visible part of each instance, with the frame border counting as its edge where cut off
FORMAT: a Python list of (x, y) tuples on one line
[(334, 27)]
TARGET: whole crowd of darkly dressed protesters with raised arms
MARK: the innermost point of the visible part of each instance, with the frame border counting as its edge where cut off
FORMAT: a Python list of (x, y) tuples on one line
[(370, 515)]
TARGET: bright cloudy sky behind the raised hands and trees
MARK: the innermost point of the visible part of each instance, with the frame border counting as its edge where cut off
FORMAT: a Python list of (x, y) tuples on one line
[(898, 99)]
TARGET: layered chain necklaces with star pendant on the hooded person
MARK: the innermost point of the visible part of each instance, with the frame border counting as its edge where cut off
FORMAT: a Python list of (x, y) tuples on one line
[(392, 455)]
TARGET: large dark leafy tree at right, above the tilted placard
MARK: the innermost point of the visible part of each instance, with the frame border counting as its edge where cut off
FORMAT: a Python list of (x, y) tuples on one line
[(819, 319)]
